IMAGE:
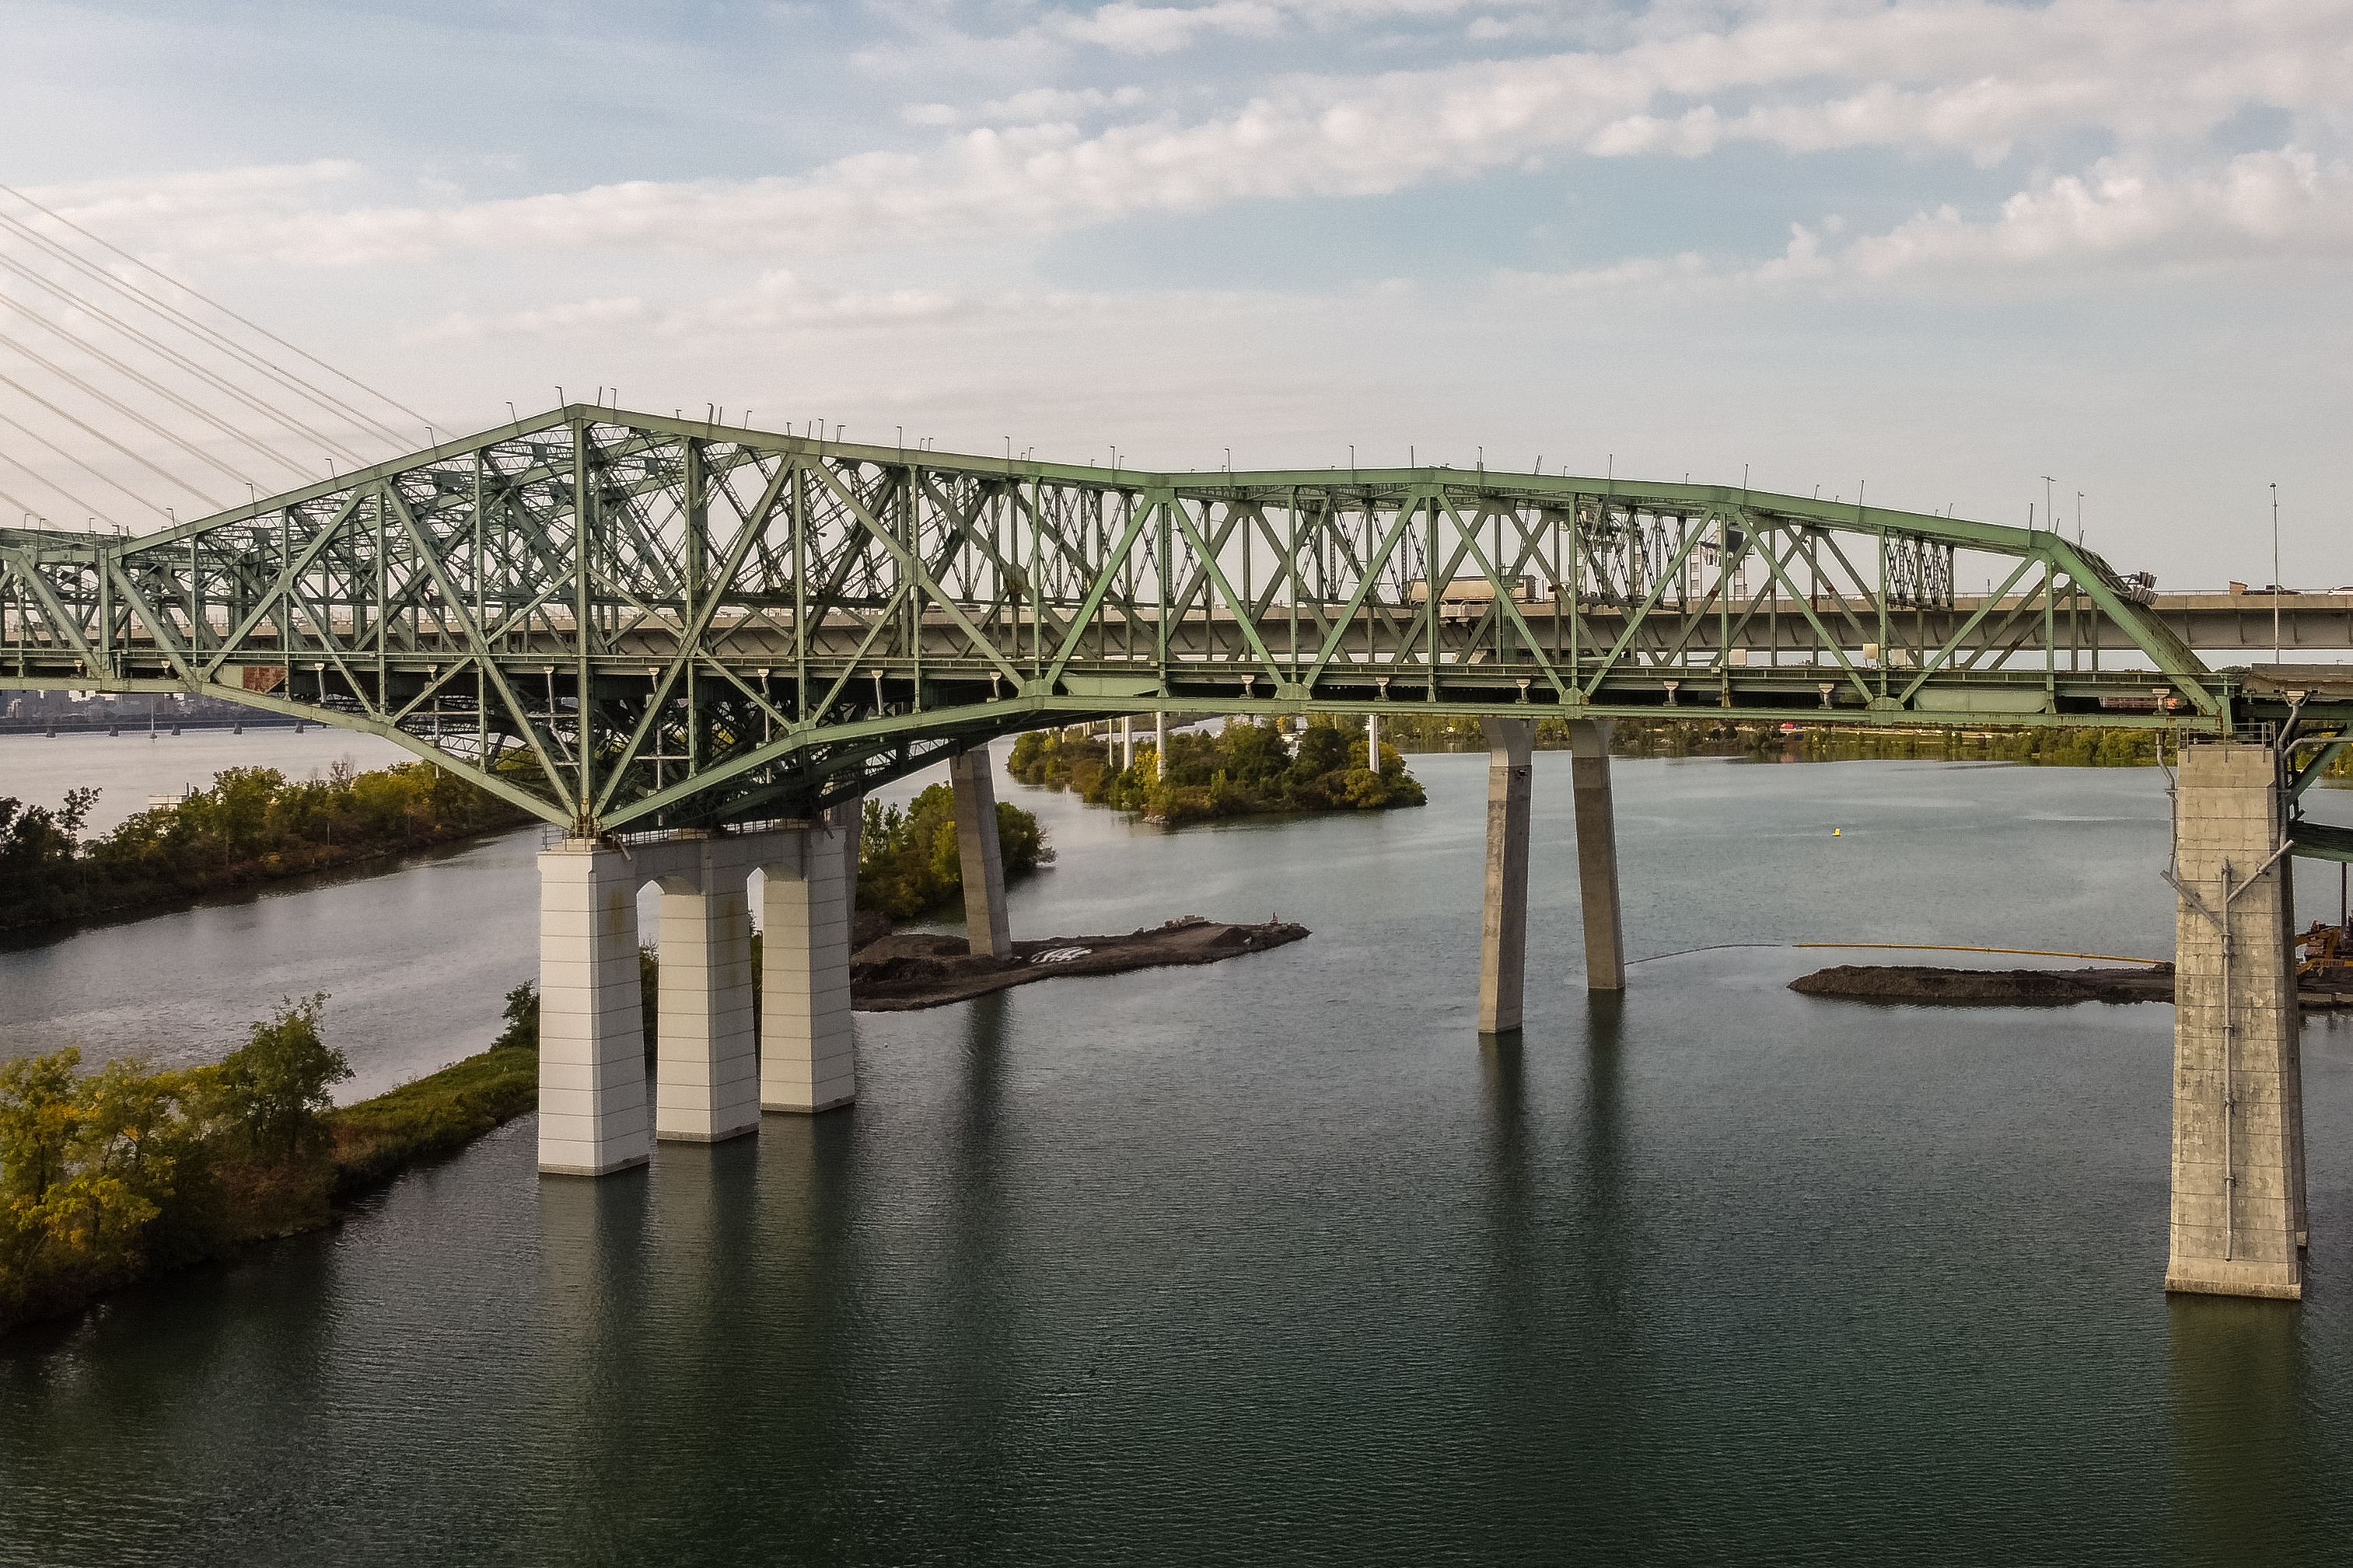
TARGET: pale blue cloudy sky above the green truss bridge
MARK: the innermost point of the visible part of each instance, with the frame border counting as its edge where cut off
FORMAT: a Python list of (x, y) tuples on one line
[(1975, 257)]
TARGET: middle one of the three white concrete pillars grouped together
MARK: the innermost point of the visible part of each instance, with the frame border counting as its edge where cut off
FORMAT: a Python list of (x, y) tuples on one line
[(707, 1066)]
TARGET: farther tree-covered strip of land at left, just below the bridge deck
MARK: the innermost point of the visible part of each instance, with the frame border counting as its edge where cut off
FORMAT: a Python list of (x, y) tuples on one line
[(251, 826)]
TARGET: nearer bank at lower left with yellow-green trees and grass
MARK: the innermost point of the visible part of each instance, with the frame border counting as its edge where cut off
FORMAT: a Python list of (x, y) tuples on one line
[(124, 1174)]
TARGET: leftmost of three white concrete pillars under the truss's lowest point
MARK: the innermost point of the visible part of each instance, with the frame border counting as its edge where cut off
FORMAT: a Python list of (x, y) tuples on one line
[(592, 1033)]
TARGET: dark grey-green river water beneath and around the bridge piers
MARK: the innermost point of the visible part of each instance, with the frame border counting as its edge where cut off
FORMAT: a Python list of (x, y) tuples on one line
[(1274, 1261)]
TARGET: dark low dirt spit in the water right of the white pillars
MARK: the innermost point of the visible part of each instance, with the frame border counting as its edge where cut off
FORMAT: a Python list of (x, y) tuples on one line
[(912, 972)]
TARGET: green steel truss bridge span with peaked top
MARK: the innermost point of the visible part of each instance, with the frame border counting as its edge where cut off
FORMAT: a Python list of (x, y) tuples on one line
[(629, 622)]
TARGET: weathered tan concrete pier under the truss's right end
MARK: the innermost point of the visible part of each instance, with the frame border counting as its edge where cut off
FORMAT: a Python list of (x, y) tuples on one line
[(2239, 1076)]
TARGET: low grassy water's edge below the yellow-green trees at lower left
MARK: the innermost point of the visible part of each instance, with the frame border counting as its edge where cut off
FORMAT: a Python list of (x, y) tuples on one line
[(251, 1200)]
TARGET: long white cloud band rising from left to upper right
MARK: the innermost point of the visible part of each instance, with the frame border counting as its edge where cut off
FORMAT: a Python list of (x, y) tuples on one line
[(1952, 76)]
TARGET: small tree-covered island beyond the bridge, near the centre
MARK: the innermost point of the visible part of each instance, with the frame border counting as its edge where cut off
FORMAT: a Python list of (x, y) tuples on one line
[(1241, 770)]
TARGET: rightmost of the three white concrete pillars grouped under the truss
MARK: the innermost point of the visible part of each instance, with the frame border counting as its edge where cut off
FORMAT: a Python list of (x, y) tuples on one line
[(808, 1052)]
